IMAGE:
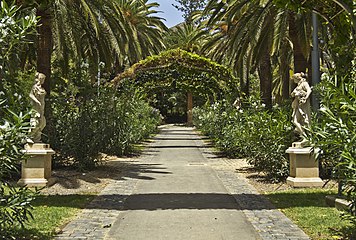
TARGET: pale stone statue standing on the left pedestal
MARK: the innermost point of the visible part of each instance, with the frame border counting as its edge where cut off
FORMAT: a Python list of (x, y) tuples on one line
[(38, 120)]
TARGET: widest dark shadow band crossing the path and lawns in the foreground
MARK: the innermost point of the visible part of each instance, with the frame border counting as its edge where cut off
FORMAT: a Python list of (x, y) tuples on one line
[(175, 201)]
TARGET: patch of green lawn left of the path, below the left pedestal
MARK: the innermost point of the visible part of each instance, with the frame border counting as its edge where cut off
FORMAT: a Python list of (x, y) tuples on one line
[(51, 213)]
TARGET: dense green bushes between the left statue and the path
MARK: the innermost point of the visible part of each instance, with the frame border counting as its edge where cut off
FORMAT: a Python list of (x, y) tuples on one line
[(89, 120)]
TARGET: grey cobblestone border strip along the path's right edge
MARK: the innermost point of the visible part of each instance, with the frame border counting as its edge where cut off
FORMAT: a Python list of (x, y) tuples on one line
[(269, 222)]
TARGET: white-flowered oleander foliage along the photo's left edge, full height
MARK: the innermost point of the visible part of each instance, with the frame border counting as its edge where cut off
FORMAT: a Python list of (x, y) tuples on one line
[(15, 204)]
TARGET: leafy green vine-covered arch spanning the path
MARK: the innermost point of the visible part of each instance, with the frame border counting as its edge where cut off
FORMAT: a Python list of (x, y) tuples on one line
[(179, 69)]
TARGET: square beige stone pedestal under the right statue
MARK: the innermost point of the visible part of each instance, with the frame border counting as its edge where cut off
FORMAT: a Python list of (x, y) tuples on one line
[(304, 168)]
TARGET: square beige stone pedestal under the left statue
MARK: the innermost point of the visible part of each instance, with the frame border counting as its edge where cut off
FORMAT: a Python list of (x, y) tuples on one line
[(36, 170)]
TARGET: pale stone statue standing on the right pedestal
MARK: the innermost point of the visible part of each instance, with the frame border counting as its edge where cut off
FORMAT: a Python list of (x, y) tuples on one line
[(301, 103)]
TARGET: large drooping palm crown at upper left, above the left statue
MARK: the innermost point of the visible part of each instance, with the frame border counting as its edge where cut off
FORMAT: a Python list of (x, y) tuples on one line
[(116, 32)]
